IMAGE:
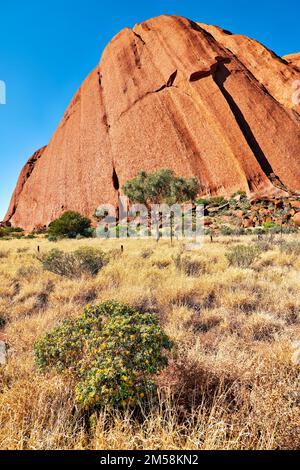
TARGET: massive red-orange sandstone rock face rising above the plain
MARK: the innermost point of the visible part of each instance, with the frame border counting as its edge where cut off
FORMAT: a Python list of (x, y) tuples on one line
[(169, 93)]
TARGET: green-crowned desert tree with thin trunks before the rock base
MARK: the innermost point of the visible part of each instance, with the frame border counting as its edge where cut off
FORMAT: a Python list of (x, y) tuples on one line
[(161, 187)]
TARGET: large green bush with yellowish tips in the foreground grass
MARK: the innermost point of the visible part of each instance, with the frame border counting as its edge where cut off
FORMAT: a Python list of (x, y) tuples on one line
[(112, 351)]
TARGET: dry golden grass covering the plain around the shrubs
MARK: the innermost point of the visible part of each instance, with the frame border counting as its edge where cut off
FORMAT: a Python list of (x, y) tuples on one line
[(230, 383)]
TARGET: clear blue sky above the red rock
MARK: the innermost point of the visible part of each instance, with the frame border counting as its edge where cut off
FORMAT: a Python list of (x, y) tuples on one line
[(48, 47)]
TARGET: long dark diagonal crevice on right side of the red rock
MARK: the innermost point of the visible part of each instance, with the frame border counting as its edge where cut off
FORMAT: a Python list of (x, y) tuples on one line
[(220, 76)]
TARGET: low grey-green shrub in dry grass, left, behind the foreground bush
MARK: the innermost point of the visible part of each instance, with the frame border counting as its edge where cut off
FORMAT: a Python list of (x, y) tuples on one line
[(84, 260)]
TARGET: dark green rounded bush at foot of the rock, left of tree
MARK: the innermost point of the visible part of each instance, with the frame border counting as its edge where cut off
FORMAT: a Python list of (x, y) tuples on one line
[(69, 225)]
